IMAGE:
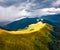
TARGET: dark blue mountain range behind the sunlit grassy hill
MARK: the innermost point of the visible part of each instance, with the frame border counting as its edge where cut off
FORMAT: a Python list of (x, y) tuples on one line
[(20, 24)]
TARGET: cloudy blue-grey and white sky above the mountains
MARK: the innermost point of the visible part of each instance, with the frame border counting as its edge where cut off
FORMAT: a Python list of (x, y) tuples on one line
[(11, 10)]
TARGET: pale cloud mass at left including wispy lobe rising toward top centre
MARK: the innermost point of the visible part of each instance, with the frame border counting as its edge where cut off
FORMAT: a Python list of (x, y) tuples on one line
[(12, 12)]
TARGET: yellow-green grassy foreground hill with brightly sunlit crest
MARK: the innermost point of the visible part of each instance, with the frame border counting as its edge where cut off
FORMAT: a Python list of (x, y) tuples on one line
[(34, 37)]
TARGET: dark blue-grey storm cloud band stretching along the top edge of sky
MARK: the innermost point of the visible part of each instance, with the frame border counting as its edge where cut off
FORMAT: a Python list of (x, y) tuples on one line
[(39, 3)]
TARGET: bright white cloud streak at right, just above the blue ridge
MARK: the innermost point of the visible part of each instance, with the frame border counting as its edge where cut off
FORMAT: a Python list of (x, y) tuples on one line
[(46, 11)]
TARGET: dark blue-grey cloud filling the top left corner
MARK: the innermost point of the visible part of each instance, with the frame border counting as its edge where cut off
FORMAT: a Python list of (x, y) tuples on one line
[(7, 3)]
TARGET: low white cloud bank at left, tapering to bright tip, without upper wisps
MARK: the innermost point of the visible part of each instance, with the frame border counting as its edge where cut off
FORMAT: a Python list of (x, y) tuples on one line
[(11, 13)]
